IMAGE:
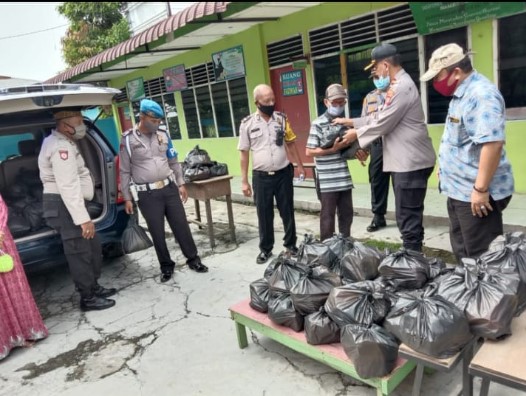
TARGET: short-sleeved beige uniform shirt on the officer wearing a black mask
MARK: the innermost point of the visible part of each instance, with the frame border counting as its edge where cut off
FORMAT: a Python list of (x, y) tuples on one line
[(259, 136)]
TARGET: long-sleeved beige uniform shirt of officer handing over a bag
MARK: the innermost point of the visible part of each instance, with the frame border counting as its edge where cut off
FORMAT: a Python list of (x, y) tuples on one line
[(401, 122)]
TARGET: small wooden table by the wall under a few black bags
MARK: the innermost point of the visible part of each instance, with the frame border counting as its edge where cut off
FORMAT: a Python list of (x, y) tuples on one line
[(205, 190)]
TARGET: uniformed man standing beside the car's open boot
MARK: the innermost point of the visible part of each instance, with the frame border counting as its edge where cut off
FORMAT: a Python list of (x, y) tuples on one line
[(67, 187)]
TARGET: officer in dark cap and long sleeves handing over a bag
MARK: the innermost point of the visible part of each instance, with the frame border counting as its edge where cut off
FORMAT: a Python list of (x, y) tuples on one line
[(407, 149)]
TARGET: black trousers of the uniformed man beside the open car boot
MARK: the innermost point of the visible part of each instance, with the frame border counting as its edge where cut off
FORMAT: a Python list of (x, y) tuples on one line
[(84, 256)]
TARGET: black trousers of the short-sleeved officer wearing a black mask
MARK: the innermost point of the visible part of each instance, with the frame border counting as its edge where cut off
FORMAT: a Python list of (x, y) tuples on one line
[(267, 187)]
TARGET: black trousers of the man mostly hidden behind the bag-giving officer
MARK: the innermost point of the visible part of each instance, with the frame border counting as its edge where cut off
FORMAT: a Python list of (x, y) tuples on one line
[(378, 179)]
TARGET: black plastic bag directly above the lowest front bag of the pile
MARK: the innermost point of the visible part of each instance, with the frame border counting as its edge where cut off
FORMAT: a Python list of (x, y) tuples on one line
[(361, 302)]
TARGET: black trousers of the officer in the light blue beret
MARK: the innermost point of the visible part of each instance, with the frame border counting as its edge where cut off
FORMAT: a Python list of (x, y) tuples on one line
[(155, 206)]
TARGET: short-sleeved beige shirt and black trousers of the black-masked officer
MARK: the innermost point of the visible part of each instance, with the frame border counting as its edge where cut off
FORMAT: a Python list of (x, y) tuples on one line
[(272, 174)]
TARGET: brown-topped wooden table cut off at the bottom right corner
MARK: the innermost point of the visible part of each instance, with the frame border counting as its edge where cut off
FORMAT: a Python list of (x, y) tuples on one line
[(503, 361)]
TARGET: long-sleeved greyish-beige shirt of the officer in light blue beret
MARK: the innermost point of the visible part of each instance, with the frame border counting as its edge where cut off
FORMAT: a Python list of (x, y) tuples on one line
[(148, 163)]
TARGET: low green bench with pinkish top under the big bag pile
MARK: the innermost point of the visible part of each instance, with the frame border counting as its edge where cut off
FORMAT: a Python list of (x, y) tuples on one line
[(332, 355)]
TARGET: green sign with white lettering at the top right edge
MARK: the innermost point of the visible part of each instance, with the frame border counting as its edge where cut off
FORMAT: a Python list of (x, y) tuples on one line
[(434, 17)]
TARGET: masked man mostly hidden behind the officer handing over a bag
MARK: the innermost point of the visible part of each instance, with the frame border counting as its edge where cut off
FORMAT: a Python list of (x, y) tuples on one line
[(378, 179)]
